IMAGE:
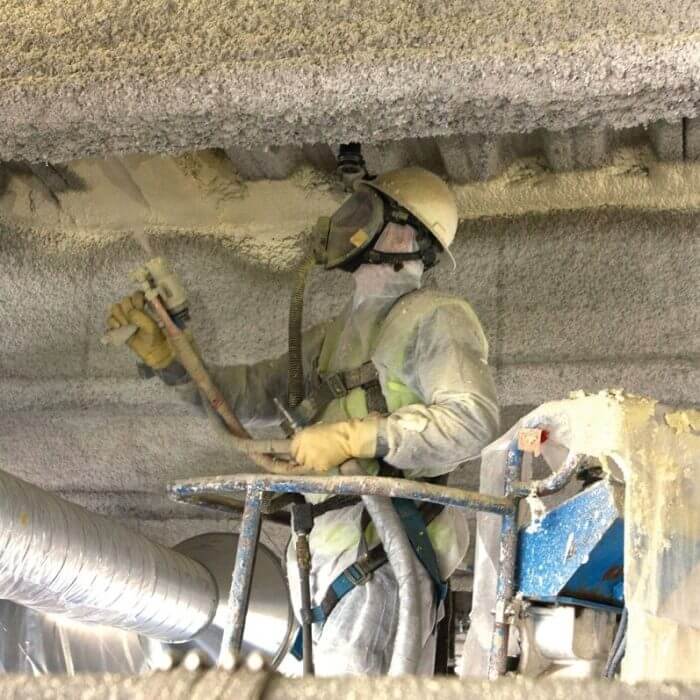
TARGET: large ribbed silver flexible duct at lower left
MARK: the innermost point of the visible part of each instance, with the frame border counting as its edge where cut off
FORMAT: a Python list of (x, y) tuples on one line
[(56, 557)]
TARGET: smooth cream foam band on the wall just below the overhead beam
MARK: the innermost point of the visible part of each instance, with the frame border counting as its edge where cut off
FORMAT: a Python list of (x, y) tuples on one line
[(204, 193)]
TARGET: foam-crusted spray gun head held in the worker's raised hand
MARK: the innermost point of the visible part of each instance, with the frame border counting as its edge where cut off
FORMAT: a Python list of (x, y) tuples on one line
[(157, 280)]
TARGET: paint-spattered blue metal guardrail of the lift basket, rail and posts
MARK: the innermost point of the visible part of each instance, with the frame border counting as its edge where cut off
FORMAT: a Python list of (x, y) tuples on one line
[(256, 487)]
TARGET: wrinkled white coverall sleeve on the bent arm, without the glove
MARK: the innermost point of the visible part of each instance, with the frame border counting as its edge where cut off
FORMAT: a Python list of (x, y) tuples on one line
[(446, 365)]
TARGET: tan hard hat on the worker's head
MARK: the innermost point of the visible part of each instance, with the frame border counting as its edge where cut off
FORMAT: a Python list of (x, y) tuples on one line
[(426, 196)]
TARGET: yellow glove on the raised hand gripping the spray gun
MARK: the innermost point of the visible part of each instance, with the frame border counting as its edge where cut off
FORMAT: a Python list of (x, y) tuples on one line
[(149, 342)]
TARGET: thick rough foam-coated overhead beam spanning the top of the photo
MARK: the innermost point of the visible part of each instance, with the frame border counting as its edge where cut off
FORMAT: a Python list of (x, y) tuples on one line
[(153, 76)]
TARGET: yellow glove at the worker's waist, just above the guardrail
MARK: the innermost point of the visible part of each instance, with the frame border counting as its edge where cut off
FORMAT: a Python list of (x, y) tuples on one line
[(326, 445)]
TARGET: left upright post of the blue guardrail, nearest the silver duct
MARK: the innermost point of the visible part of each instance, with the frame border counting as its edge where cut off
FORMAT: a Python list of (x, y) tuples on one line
[(242, 577)]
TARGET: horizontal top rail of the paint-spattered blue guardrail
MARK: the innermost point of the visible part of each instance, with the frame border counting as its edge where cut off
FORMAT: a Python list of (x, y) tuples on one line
[(198, 489)]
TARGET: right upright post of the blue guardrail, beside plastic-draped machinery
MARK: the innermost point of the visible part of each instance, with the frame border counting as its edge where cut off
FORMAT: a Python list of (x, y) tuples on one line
[(505, 583)]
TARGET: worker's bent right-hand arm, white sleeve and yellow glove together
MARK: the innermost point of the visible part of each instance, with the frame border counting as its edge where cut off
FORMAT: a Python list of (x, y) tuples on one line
[(446, 367)]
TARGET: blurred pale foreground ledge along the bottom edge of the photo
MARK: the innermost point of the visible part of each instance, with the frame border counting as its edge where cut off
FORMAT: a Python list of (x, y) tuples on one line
[(181, 684)]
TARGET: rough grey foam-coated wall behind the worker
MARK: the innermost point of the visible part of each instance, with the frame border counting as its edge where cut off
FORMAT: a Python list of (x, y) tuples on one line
[(580, 300)]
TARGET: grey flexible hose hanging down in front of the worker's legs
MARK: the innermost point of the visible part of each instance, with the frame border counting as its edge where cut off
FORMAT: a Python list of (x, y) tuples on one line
[(408, 644)]
